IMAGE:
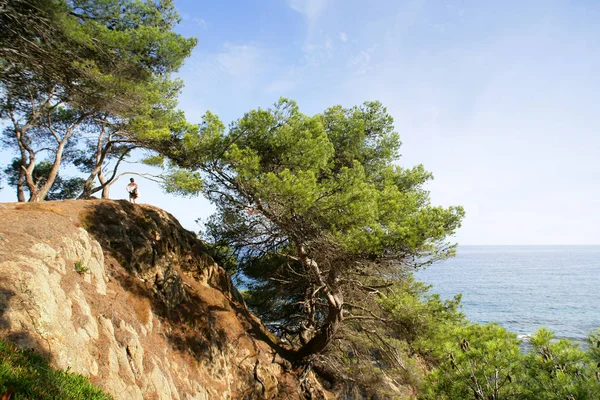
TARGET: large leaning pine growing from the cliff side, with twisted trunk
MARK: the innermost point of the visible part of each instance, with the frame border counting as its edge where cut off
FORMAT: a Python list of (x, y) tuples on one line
[(317, 213)]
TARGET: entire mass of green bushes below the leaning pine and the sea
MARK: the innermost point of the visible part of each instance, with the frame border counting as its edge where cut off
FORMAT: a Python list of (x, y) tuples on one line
[(427, 345)]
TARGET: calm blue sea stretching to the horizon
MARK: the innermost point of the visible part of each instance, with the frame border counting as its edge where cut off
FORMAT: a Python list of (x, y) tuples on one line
[(524, 287)]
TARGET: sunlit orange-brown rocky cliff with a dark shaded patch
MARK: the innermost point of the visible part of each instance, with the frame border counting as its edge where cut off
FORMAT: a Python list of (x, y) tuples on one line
[(123, 294)]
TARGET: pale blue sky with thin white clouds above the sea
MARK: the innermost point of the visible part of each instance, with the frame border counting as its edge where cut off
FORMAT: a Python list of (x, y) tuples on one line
[(498, 99)]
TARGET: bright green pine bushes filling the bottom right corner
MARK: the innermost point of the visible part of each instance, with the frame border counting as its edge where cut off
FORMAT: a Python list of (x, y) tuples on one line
[(485, 361)]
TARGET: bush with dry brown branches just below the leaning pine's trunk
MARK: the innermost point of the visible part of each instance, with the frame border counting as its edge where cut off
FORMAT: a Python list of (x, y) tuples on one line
[(387, 356)]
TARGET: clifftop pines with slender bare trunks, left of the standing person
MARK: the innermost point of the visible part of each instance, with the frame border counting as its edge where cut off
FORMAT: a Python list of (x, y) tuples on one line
[(87, 73)]
